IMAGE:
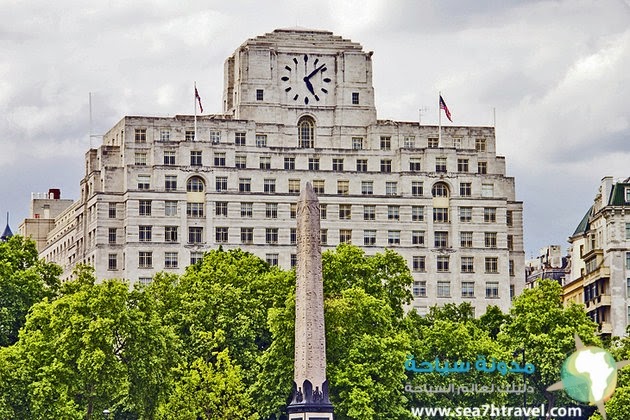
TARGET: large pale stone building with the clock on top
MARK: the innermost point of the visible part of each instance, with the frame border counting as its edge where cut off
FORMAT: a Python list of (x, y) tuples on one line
[(298, 107)]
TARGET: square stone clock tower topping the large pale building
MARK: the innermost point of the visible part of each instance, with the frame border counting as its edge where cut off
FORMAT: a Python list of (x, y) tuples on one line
[(284, 75)]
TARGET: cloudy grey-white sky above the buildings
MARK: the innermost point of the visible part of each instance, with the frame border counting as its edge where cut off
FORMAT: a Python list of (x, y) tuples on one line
[(557, 73)]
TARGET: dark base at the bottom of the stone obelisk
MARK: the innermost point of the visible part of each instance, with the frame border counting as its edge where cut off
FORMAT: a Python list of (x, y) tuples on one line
[(309, 403)]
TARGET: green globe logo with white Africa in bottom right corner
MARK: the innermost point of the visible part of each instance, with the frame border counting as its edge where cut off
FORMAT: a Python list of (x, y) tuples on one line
[(589, 375)]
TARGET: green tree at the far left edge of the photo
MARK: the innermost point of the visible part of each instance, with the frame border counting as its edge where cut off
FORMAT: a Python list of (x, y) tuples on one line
[(24, 280)]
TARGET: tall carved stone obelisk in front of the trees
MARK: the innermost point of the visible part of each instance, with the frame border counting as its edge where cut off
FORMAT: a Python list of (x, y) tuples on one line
[(310, 388)]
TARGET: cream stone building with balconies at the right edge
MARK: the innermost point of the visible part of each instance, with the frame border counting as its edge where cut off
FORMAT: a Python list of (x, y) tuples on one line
[(600, 259)]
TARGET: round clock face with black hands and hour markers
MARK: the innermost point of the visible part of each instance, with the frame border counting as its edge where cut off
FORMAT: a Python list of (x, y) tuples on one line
[(306, 79)]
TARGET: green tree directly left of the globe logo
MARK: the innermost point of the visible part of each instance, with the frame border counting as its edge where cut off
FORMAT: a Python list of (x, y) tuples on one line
[(540, 324)]
